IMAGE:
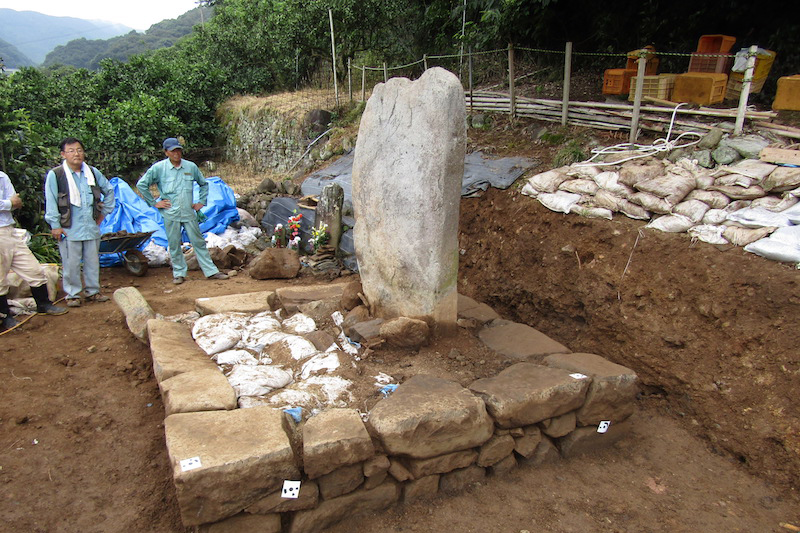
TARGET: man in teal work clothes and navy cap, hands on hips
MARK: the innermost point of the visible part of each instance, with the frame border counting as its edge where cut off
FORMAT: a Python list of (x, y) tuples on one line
[(174, 177)]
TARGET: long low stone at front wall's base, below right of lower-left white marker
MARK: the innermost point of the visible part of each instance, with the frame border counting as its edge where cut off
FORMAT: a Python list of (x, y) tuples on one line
[(332, 511)]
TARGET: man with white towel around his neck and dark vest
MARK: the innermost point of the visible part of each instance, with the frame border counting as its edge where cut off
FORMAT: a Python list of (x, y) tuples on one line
[(77, 199)]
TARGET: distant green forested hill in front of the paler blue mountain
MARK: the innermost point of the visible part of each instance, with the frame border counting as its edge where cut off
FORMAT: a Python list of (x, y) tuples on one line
[(84, 53)]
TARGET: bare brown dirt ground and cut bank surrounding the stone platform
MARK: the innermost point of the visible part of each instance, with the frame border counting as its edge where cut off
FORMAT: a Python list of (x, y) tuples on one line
[(710, 331)]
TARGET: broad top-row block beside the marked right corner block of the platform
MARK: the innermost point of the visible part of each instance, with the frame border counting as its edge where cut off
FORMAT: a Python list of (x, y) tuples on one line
[(526, 393)]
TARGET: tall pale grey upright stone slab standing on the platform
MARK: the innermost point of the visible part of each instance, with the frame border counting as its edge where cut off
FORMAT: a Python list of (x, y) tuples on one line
[(407, 175)]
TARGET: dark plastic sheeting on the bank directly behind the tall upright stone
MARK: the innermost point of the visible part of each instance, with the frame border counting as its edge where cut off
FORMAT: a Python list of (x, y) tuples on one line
[(480, 172)]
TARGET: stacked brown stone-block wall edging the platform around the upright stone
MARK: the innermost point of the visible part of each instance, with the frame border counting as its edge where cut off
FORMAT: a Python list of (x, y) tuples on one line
[(429, 436)]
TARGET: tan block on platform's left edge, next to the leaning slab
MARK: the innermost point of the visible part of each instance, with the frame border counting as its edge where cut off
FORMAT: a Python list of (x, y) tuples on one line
[(174, 350)]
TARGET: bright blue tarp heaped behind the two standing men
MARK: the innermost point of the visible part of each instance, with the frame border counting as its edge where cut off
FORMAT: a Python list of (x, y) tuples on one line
[(132, 214)]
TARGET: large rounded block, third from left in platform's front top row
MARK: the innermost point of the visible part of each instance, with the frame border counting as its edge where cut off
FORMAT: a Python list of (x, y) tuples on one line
[(428, 416)]
